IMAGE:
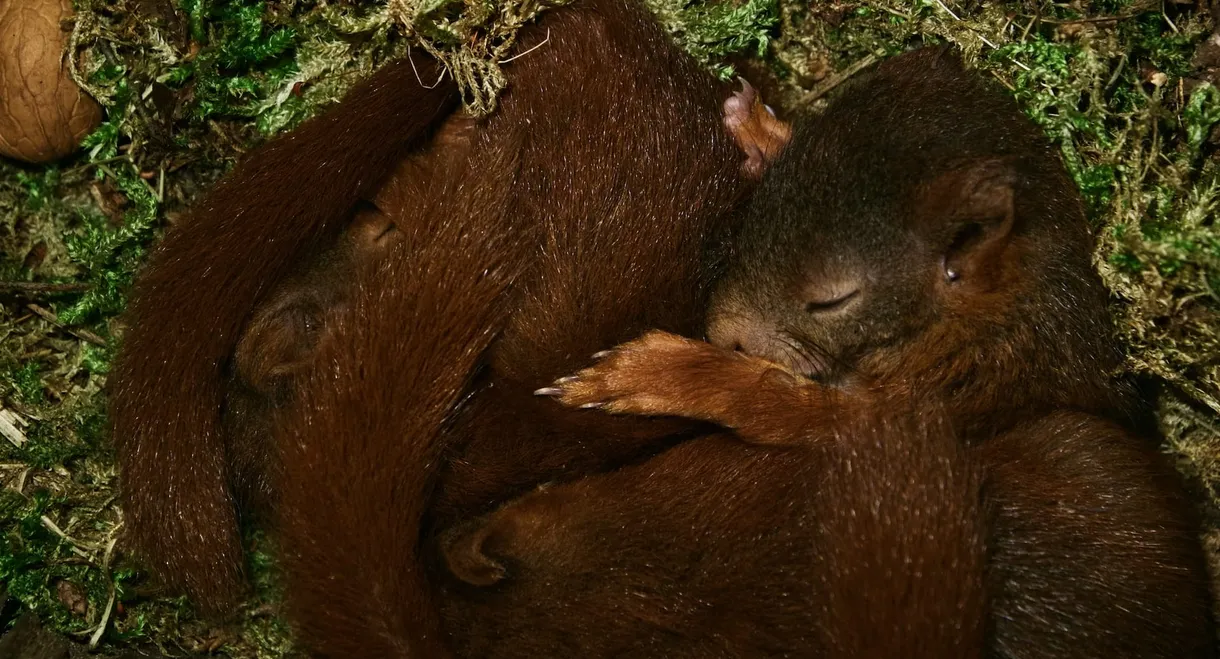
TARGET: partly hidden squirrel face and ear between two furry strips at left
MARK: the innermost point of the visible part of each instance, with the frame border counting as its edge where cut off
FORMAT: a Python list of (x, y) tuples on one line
[(278, 346)]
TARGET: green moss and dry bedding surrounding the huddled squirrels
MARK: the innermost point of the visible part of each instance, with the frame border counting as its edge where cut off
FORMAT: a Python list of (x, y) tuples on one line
[(1127, 88)]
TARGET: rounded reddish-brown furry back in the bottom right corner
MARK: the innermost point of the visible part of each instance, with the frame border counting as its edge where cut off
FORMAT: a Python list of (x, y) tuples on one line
[(1095, 551)]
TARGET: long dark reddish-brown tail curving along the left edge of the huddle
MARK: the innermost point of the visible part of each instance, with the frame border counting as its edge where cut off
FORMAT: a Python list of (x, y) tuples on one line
[(284, 202)]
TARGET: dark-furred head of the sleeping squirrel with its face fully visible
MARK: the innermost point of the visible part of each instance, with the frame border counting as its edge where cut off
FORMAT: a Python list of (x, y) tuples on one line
[(931, 246)]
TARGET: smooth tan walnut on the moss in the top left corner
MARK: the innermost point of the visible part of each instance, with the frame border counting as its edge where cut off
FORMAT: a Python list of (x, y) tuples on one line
[(43, 114)]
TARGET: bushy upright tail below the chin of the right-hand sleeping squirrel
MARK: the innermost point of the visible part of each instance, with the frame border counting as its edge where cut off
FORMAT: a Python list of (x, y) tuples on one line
[(902, 533)]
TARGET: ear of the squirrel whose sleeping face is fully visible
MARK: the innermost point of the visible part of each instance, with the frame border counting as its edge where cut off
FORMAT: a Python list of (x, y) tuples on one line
[(975, 206)]
